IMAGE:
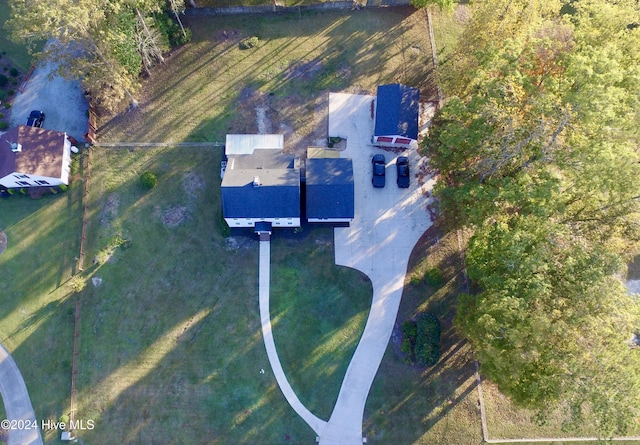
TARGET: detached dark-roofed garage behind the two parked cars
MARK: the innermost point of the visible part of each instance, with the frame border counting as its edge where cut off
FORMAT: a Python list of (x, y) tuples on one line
[(396, 119)]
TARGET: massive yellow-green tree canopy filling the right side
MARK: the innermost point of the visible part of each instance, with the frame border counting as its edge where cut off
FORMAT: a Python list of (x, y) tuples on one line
[(537, 151)]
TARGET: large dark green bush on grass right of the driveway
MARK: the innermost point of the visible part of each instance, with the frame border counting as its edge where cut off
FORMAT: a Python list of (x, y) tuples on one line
[(421, 340)]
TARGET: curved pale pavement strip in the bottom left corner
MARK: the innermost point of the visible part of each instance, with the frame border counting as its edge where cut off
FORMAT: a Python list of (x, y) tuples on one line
[(16, 400)]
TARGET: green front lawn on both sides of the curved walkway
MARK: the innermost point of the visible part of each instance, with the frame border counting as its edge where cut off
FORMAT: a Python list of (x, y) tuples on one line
[(171, 347)]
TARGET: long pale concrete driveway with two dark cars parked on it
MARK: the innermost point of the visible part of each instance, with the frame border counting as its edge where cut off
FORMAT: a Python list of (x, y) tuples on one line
[(388, 223)]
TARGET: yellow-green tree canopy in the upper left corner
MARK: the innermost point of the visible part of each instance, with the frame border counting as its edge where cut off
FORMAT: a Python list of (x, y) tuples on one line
[(106, 44)]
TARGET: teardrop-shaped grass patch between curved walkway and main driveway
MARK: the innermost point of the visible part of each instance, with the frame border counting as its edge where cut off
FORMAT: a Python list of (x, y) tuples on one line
[(319, 310)]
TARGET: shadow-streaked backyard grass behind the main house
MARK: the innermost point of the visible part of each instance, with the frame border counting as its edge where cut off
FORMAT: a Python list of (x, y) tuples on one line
[(210, 87)]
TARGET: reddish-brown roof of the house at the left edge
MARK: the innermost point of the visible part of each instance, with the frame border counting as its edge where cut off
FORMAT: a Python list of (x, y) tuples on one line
[(42, 152)]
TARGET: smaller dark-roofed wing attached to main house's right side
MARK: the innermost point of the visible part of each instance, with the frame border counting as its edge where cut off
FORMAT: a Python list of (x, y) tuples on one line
[(329, 190)]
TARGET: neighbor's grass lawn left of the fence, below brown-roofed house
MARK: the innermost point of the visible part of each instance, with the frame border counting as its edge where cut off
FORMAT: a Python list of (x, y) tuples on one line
[(36, 293)]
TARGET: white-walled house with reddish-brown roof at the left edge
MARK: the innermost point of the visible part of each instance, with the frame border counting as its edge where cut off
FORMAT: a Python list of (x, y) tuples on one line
[(34, 157)]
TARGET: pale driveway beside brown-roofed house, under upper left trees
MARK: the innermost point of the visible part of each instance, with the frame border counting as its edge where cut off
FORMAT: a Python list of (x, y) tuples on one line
[(62, 102)]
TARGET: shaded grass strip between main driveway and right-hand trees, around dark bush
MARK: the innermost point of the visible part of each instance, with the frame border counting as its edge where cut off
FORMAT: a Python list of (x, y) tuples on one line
[(437, 405)]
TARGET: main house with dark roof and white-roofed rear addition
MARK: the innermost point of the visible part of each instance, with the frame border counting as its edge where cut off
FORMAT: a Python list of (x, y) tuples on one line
[(260, 184)]
